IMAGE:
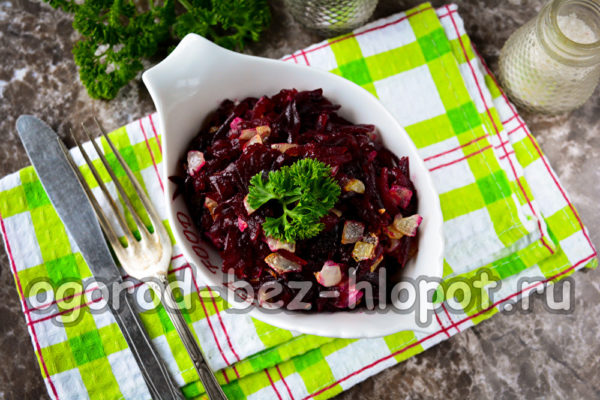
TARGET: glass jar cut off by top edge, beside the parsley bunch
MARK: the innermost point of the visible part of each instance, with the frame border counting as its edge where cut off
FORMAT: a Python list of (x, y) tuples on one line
[(331, 17)]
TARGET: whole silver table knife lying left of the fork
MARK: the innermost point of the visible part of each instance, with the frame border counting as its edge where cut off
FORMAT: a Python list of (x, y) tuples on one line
[(68, 197)]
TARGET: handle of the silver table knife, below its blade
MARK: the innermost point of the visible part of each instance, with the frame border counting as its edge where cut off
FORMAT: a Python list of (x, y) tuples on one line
[(157, 377)]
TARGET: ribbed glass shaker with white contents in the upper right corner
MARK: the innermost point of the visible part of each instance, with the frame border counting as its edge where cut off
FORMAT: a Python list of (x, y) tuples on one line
[(552, 63)]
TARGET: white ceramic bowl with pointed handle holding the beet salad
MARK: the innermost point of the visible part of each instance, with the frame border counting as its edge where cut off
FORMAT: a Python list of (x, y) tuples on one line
[(194, 79)]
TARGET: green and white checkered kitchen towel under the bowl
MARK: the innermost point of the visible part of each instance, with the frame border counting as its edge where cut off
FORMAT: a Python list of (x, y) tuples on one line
[(505, 213)]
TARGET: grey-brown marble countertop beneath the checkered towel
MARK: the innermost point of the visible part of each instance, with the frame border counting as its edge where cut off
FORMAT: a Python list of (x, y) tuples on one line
[(536, 355)]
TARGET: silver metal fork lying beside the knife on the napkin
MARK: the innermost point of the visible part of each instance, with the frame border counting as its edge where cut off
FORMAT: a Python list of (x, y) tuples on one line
[(146, 259)]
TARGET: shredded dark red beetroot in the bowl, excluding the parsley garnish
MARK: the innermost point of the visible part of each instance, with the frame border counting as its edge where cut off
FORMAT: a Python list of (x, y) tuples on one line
[(302, 124)]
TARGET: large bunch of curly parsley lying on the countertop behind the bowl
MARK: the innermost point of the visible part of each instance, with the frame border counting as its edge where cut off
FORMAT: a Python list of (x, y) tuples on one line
[(118, 35)]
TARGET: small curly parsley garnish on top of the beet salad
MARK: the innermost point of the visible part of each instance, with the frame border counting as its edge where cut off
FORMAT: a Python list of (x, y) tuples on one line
[(306, 192)]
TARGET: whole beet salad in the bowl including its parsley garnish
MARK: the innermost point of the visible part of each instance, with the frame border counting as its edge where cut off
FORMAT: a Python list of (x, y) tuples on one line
[(288, 191)]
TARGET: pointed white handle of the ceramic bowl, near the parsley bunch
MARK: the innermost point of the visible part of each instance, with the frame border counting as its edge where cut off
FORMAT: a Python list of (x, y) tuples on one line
[(195, 58)]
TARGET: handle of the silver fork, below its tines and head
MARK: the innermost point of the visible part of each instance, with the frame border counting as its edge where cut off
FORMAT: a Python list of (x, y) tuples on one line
[(208, 379)]
